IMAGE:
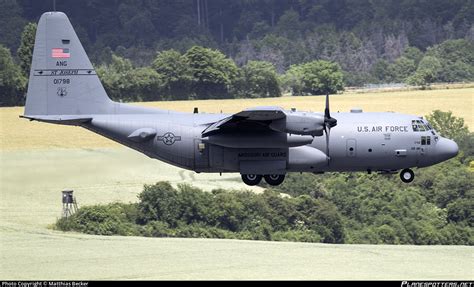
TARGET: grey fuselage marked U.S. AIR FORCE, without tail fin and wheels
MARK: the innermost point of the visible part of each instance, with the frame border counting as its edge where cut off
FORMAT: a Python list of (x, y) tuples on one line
[(359, 142)]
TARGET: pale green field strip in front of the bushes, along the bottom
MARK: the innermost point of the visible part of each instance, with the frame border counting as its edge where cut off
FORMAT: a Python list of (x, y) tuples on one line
[(76, 256)]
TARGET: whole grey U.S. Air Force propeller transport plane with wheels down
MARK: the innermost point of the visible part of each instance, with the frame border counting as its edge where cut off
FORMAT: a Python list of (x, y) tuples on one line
[(259, 142)]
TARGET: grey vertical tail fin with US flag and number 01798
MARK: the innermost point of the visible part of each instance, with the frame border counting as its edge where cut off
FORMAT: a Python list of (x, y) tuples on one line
[(62, 80)]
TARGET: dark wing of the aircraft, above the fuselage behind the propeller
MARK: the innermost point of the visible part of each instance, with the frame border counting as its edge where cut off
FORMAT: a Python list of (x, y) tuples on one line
[(253, 119)]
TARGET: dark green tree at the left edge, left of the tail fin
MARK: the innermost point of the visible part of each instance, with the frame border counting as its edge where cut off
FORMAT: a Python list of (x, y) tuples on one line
[(12, 82)]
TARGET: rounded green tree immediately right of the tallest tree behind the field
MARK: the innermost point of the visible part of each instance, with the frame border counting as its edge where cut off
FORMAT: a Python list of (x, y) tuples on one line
[(258, 79)]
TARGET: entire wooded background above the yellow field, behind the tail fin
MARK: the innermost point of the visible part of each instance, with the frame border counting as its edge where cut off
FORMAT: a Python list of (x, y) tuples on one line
[(198, 49)]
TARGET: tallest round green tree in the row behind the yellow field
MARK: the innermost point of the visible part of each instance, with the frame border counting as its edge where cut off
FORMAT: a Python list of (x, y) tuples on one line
[(212, 72)]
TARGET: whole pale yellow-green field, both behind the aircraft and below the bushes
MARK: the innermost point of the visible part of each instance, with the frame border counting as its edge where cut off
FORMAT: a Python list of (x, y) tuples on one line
[(39, 160)]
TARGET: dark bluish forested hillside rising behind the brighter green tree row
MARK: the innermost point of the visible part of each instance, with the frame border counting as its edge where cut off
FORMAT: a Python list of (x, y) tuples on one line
[(355, 33)]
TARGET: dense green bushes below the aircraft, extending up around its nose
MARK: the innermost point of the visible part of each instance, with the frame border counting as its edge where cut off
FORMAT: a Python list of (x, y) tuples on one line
[(354, 208)]
